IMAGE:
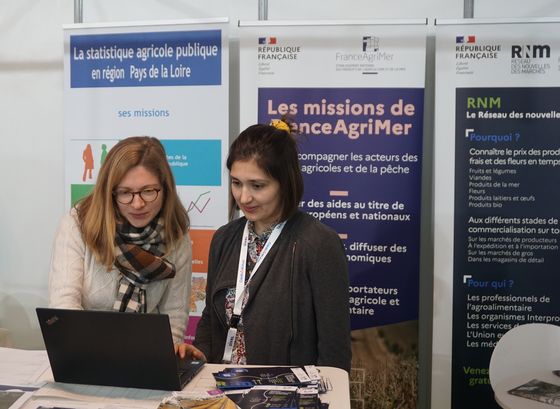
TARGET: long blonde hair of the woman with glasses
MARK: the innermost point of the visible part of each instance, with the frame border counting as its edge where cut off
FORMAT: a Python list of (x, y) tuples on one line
[(97, 212)]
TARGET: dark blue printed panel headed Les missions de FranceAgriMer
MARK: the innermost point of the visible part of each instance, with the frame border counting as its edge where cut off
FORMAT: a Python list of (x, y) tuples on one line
[(360, 153)]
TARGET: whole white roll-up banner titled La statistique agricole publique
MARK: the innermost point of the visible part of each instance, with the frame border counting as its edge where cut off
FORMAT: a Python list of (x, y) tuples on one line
[(168, 80)]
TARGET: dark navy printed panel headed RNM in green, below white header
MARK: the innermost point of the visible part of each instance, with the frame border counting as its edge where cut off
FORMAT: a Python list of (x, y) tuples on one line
[(506, 230)]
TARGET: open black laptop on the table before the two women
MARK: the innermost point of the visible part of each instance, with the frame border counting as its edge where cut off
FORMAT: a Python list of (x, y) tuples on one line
[(114, 349)]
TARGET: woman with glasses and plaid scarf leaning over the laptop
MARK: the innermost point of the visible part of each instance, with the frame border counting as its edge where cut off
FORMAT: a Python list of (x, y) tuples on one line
[(125, 246)]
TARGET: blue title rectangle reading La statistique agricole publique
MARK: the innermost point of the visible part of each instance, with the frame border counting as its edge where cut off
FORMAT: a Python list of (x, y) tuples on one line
[(170, 58)]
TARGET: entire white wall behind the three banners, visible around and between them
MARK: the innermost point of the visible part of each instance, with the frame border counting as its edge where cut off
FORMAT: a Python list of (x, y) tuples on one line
[(31, 112)]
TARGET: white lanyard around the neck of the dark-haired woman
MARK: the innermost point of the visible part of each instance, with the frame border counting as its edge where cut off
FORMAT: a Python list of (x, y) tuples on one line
[(241, 285)]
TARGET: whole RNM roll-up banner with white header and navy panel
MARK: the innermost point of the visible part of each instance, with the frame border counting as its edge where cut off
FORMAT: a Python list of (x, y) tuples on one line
[(497, 172)]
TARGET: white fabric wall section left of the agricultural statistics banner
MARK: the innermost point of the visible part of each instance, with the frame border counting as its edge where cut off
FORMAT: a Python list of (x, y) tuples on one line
[(31, 170)]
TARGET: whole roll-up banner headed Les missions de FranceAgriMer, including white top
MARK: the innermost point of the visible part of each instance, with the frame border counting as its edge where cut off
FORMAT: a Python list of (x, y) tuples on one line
[(355, 91)]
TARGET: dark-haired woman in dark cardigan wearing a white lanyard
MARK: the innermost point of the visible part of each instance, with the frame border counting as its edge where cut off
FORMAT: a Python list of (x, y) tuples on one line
[(277, 289)]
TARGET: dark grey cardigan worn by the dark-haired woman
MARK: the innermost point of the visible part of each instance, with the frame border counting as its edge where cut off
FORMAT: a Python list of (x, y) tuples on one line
[(298, 310)]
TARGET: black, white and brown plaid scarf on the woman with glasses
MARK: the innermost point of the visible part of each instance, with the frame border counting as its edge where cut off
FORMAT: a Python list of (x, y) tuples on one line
[(139, 258)]
